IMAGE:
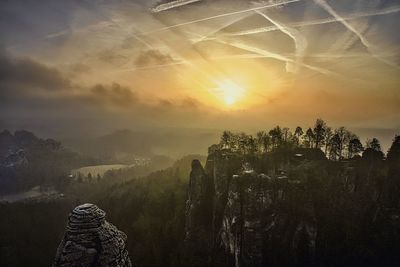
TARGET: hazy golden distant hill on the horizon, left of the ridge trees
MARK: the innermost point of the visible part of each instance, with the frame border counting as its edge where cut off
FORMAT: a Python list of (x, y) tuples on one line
[(123, 146)]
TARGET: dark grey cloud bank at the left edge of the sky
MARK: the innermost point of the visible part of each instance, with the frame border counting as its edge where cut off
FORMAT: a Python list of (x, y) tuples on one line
[(25, 81)]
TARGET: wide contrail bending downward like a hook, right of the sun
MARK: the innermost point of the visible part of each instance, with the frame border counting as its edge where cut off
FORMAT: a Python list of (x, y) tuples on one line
[(299, 40)]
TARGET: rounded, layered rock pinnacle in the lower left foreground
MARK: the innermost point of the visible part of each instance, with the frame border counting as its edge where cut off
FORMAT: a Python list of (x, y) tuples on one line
[(90, 240)]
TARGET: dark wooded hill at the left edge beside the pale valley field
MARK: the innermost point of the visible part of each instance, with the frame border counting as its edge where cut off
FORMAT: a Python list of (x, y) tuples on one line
[(27, 161)]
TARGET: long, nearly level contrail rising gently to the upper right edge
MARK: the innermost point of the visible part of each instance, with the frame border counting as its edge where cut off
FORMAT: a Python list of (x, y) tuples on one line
[(317, 22)]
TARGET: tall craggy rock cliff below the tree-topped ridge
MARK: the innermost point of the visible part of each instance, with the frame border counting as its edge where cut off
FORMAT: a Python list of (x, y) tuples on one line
[(253, 220)]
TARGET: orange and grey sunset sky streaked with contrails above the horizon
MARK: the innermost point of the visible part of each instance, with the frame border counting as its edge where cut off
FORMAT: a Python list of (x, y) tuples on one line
[(91, 66)]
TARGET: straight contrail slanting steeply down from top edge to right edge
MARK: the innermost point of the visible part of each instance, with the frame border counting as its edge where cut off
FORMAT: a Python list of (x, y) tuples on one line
[(363, 40)]
